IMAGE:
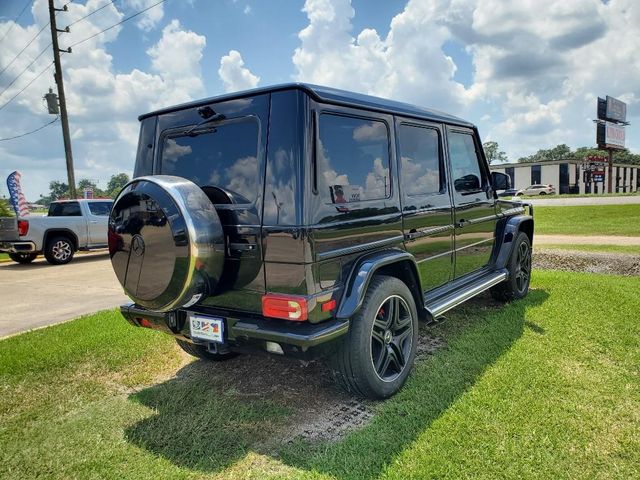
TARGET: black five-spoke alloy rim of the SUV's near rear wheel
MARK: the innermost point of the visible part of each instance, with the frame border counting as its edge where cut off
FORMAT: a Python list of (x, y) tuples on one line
[(391, 338)]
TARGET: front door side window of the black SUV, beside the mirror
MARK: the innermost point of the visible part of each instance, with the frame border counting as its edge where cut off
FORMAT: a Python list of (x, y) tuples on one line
[(465, 168)]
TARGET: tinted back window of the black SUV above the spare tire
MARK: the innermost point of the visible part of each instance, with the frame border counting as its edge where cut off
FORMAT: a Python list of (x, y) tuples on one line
[(225, 157)]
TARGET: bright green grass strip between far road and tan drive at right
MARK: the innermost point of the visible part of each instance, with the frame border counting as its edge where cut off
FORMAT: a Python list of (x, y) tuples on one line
[(588, 220)]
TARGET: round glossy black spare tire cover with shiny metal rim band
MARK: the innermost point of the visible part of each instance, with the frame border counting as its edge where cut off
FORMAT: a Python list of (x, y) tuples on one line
[(166, 242)]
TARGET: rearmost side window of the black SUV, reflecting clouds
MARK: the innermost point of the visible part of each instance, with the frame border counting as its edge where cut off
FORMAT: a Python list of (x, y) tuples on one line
[(352, 159)]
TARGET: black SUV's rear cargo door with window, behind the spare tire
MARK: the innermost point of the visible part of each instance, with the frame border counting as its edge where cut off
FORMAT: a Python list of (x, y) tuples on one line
[(225, 157)]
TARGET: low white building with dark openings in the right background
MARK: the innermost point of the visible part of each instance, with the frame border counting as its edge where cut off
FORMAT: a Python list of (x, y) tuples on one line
[(571, 176)]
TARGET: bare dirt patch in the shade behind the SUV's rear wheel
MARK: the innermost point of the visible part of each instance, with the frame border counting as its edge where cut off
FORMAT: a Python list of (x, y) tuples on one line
[(320, 409)]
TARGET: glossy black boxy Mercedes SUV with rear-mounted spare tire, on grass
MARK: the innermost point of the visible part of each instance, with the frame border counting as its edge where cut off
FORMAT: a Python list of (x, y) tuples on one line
[(304, 220)]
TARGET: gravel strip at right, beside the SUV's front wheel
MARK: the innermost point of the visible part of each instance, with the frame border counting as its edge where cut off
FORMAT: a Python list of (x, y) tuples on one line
[(590, 262)]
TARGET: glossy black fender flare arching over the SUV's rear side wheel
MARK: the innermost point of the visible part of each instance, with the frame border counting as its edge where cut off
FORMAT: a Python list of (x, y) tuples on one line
[(363, 271)]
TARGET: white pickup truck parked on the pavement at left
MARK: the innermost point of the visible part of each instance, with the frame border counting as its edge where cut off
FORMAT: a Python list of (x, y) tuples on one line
[(70, 225)]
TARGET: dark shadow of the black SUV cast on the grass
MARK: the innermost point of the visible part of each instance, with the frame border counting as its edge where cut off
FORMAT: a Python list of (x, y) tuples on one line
[(212, 414)]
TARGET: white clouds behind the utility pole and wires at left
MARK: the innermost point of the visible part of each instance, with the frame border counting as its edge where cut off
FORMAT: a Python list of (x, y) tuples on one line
[(103, 104)]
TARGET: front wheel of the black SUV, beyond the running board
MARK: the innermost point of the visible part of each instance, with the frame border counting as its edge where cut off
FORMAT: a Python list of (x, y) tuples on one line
[(519, 266)]
